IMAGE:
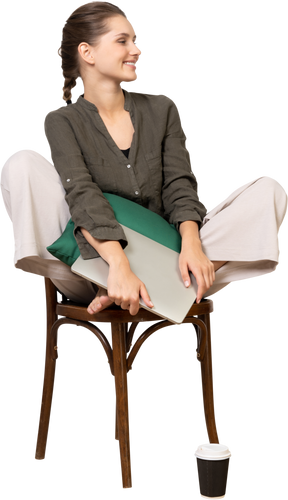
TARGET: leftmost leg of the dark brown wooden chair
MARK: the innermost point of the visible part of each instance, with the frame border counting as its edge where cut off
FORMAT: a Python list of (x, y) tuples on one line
[(49, 377)]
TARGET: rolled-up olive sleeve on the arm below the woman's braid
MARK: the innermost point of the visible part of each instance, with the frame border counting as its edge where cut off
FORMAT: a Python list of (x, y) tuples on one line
[(88, 207)]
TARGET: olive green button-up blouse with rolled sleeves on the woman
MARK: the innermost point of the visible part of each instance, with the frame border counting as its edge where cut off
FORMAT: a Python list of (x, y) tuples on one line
[(158, 174)]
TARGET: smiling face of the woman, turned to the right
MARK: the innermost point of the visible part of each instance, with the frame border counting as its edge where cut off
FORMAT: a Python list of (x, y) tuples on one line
[(117, 55)]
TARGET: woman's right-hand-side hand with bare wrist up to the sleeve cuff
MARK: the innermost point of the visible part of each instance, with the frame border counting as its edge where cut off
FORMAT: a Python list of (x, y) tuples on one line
[(193, 259)]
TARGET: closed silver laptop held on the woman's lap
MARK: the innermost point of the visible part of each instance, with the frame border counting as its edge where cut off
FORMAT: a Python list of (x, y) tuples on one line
[(154, 264)]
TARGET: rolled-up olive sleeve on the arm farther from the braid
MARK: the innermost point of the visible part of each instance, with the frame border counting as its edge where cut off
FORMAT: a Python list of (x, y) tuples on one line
[(181, 191)]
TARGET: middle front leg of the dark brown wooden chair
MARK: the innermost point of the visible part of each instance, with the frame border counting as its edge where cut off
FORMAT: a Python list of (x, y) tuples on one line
[(122, 421)]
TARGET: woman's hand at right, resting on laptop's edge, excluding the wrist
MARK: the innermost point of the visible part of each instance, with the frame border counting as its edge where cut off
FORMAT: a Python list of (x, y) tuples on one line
[(193, 259)]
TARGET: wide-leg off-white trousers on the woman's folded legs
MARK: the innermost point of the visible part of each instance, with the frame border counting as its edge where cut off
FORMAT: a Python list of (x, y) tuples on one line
[(243, 227)]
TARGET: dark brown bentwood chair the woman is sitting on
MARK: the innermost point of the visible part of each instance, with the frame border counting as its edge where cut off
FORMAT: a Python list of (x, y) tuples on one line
[(121, 339)]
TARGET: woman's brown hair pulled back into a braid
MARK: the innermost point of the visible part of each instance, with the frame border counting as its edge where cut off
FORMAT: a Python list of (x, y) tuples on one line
[(85, 22)]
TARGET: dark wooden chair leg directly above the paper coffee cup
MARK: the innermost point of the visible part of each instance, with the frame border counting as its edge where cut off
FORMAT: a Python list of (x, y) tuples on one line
[(207, 386)]
